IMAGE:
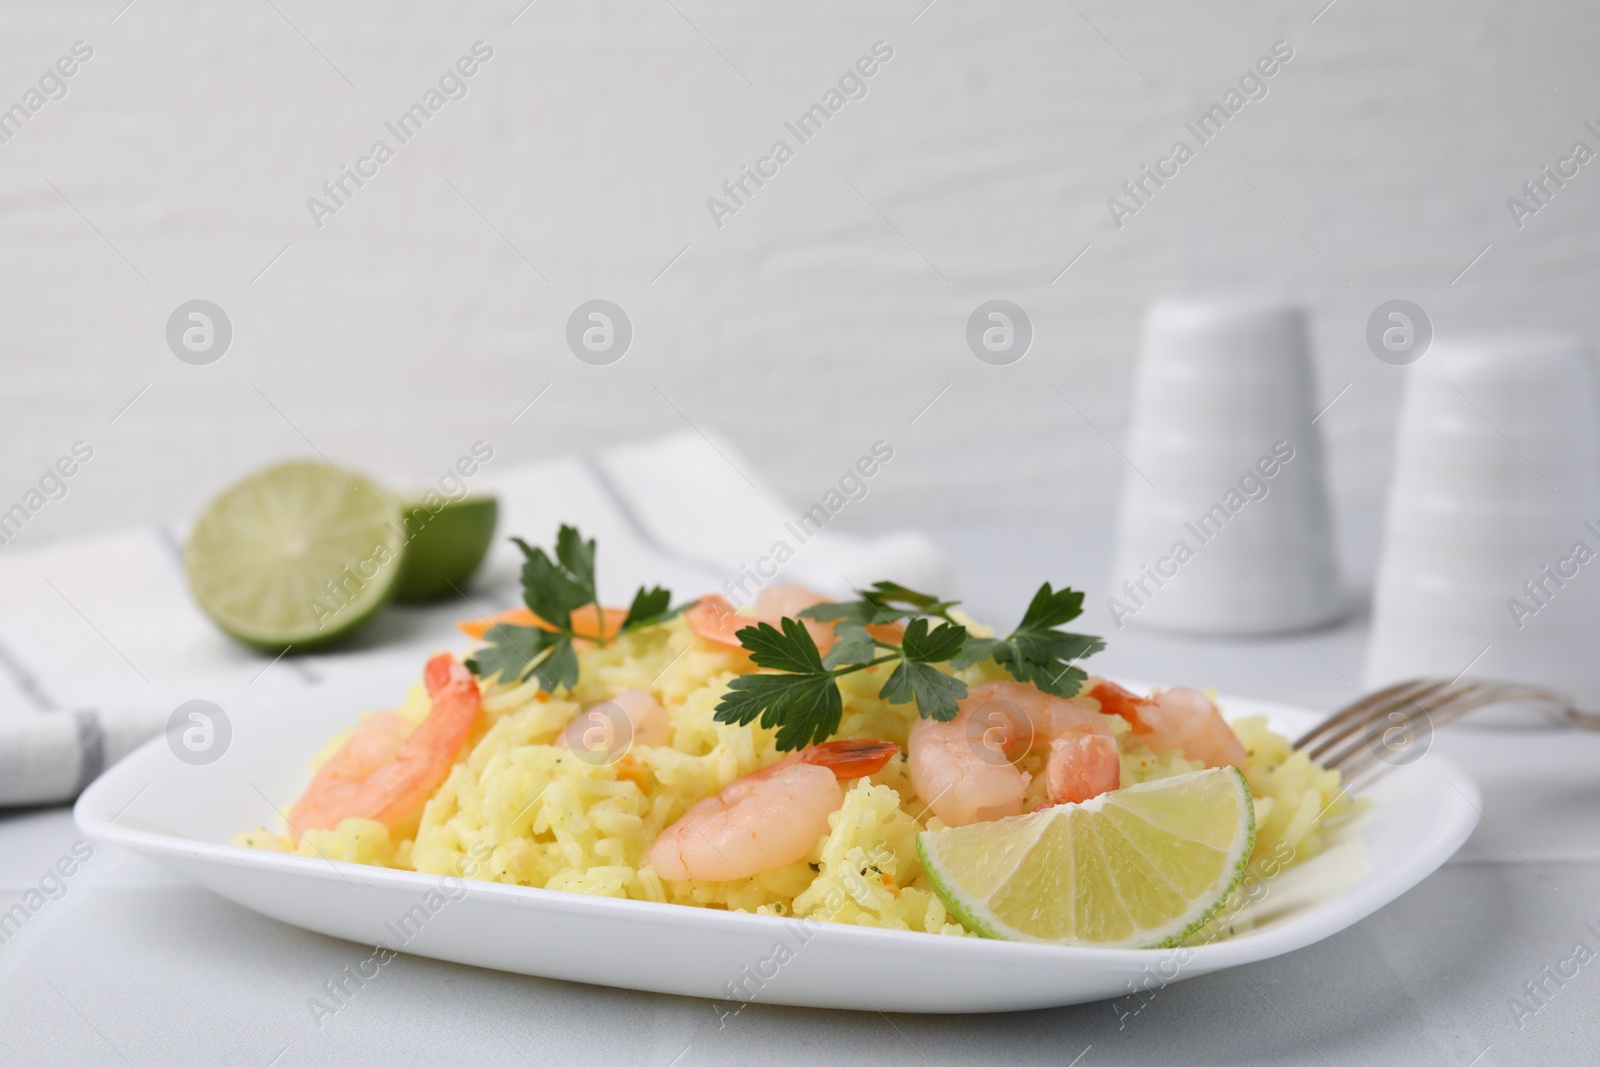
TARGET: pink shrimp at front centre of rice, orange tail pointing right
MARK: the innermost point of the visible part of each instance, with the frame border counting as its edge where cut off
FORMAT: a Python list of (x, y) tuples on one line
[(766, 820)]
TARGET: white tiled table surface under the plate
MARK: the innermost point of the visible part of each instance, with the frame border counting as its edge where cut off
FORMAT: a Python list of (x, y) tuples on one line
[(134, 965)]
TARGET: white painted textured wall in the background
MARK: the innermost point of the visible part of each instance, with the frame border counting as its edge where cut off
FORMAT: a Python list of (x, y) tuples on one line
[(806, 327)]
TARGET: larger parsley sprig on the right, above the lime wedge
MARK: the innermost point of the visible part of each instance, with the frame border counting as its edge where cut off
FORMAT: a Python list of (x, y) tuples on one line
[(799, 693)]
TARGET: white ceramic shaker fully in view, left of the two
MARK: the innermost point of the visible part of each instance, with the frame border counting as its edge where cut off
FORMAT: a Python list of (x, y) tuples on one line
[(1225, 524)]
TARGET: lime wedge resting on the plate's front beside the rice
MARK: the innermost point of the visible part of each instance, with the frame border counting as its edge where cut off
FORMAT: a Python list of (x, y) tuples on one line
[(1138, 868)]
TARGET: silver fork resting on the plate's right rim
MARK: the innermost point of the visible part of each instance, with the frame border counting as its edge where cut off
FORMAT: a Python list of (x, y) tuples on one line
[(1366, 733)]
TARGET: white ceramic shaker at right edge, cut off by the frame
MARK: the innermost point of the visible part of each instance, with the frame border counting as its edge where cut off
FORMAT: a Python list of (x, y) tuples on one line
[(1492, 551)]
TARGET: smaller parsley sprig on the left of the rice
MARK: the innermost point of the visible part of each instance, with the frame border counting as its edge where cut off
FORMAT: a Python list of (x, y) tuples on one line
[(554, 589)]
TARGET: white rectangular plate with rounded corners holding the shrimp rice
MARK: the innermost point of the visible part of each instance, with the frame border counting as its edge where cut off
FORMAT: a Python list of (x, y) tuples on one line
[(185, 817)]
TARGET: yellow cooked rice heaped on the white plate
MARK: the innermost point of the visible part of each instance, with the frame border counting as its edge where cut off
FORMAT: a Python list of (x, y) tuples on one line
[(522, 812)]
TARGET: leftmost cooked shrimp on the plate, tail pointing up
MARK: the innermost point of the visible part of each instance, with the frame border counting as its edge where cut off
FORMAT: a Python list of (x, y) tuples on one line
[(385, 775)]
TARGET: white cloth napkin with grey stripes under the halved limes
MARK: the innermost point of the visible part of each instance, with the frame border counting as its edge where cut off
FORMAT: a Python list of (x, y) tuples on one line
[(102, 642)]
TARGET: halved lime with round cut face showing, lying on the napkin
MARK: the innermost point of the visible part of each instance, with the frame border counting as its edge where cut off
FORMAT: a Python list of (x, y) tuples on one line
[(295, 556)]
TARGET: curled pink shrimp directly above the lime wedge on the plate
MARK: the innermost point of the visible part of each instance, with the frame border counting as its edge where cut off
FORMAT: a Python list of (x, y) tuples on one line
[(966, 770)]
